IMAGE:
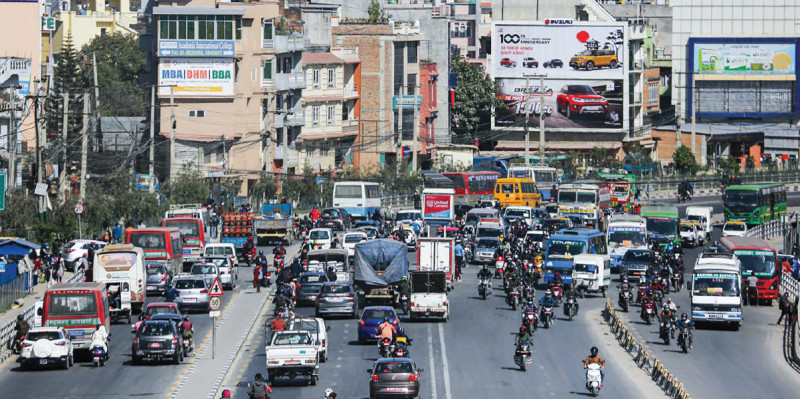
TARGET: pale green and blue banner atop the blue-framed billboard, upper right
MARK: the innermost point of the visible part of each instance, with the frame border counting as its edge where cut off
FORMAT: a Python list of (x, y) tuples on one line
[(740, 58)]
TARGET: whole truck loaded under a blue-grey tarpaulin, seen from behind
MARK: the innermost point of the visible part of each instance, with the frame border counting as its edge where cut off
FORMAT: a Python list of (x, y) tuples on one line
[(378, 269)]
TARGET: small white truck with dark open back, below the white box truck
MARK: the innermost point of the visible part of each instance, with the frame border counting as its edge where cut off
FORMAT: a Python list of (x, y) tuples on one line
[(429, 294)]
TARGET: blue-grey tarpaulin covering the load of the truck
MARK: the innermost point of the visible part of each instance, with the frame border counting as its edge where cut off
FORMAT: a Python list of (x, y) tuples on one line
[(389, 258)]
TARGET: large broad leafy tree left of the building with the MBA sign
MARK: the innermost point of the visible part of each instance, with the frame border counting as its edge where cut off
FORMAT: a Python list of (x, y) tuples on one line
[(119, 62)]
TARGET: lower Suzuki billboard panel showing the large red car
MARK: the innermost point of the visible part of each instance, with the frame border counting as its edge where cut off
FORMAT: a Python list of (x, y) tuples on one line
[(566, 104)]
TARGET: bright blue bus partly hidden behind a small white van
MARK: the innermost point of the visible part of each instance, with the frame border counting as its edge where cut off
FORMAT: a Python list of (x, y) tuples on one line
[(564, 245)]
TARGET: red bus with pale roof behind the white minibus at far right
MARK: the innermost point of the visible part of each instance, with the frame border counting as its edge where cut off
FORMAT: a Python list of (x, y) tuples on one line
[(758, 257)]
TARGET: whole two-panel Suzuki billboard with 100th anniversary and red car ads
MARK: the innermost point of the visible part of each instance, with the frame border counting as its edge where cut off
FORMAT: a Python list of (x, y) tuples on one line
[(585, 74)]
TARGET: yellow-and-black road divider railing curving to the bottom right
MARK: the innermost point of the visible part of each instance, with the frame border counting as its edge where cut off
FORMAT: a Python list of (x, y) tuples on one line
[(642, 357)]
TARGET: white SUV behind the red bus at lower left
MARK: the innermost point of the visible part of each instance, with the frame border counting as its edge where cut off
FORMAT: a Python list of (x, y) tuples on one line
[(44, 346)]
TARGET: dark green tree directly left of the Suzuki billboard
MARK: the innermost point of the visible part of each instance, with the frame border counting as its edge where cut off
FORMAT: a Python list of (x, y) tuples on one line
[(475, 101)]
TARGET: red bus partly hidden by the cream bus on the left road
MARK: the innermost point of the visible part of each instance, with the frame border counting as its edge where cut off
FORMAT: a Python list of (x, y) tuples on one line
[(163, 243)]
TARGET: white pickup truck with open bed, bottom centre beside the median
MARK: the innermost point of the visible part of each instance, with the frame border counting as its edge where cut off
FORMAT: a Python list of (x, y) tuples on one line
[(292, 354)]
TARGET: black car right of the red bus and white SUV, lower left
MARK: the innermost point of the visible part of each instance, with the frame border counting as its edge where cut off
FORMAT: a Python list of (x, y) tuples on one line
[(157, 340)]
